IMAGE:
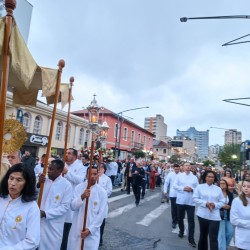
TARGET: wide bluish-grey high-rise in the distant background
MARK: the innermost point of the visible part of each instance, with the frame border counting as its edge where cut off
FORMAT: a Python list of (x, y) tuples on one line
[(201, 139)]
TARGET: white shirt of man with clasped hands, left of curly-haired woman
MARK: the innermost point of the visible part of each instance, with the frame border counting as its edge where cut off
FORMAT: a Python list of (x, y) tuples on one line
[(185, 180)]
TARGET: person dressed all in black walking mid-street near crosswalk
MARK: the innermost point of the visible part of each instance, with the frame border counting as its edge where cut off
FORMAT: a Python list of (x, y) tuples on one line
[(137, 179)]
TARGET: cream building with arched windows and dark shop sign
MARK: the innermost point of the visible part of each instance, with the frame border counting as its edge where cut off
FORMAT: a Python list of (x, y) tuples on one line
[(37, 121)]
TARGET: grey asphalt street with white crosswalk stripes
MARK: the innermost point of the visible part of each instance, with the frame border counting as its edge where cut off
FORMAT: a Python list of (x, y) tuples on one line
[(145, 227)]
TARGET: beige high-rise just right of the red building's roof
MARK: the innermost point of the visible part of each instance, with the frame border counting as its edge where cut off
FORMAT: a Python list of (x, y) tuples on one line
[(156, 126)]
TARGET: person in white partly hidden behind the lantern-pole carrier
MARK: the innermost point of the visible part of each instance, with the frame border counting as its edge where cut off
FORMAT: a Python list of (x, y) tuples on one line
[(105, 182)]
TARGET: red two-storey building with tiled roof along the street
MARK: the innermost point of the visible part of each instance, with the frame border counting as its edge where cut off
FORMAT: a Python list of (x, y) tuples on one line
[(130, 136)]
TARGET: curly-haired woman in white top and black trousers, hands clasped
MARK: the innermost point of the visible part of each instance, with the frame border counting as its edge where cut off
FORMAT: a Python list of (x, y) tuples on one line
[(209, 199)]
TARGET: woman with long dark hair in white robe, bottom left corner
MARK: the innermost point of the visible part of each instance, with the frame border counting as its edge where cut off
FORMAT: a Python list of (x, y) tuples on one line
[(19, 213)]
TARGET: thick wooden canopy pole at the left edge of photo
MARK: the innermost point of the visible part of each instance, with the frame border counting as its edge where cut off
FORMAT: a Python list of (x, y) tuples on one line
[(10, 5)]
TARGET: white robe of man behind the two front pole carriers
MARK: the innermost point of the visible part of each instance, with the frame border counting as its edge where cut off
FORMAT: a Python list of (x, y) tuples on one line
[(76, 174)]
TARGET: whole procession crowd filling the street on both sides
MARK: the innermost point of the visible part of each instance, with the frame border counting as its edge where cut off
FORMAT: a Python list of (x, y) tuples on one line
[(74, 200)]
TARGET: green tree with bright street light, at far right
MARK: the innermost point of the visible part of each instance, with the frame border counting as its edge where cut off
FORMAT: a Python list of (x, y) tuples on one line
[(230, 155)]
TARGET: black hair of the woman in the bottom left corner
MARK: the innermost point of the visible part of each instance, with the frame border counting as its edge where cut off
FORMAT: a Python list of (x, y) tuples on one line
[(29, 191)]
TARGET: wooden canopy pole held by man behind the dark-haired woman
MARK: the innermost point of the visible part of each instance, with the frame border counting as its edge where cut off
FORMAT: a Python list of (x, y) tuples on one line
[(61, 65)]
